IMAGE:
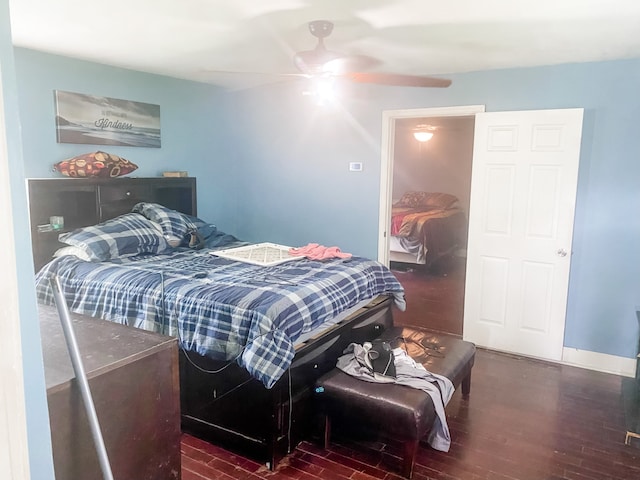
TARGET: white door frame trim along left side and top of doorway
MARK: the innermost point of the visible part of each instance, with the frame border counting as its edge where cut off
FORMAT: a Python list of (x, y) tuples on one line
[(389, 118)]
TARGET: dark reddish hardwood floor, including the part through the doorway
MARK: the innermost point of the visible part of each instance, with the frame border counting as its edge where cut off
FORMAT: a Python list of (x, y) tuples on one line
[(524, 420)]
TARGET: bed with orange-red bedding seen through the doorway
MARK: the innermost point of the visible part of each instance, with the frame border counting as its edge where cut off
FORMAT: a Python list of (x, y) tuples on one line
[(425, 227)]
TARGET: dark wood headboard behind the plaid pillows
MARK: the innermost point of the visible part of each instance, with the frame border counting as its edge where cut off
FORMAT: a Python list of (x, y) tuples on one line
[(87, 201)]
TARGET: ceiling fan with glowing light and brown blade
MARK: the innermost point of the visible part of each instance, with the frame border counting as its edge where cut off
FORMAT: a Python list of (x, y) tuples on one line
[(321, 61)]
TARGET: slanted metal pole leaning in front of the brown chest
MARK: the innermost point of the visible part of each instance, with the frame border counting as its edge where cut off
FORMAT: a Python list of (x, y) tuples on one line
[(81, 377)]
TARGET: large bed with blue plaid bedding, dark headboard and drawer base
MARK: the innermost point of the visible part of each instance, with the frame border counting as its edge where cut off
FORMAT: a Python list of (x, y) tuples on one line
[(253, 338)]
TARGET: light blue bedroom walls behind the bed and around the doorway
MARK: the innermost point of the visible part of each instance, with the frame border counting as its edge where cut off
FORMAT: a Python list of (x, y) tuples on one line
[(273, 166)]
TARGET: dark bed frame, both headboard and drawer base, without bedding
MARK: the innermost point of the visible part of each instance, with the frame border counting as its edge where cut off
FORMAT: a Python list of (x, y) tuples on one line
[(229, 408)]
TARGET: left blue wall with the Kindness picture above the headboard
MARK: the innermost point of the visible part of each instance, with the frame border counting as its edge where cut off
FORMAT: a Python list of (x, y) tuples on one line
[(192, 117)]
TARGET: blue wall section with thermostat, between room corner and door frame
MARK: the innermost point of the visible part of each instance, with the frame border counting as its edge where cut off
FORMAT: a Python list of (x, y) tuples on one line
[(298, 188)]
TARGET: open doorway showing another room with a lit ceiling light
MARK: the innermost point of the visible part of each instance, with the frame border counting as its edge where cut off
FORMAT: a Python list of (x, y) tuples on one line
[(424, 230)]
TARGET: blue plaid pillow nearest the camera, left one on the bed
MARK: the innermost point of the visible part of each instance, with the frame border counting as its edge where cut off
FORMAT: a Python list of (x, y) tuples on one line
[(124, 236)]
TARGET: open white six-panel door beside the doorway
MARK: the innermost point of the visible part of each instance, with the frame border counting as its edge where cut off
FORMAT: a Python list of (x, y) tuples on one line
[(523, 188)]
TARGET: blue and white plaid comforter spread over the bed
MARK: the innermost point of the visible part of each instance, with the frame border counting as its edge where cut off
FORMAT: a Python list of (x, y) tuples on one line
[(220, 308)]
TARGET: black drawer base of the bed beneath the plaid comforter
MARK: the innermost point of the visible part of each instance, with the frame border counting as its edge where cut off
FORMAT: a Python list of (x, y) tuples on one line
[(235, 410)]
